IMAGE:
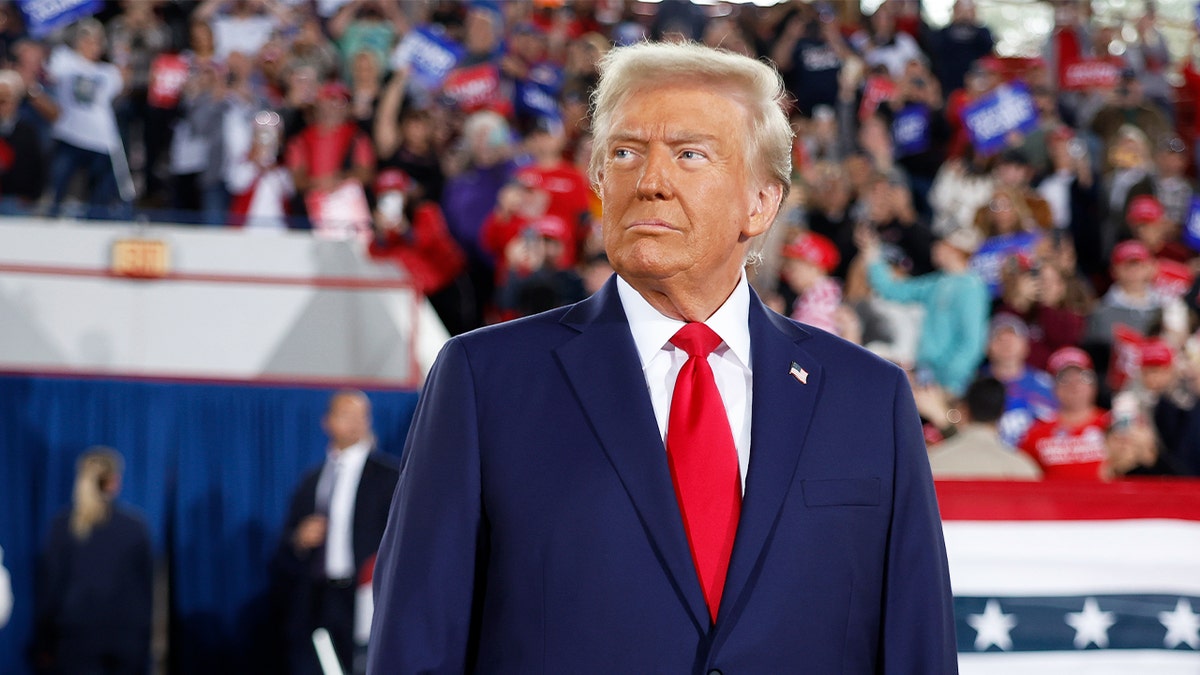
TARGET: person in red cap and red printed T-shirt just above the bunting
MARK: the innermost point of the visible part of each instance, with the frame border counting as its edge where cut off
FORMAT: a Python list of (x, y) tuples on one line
[(1072, 445)]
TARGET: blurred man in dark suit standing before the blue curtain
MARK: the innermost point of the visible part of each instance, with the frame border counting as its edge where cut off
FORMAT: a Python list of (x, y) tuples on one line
[(334, 527)]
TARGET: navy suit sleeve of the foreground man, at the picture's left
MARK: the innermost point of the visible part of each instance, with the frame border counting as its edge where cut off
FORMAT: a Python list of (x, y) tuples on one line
[(430, 568)]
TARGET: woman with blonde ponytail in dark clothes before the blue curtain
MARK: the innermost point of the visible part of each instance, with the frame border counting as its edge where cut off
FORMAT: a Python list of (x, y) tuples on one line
[(95, 580)]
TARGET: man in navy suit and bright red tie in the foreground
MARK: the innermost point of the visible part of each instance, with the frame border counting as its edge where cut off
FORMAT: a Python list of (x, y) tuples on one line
[(599, 489)]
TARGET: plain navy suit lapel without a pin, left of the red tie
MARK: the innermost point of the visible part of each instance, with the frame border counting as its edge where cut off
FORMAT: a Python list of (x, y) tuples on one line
[(603, 368)]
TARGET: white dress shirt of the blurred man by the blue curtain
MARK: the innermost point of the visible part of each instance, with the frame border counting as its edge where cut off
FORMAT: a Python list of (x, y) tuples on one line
[(345, 469)]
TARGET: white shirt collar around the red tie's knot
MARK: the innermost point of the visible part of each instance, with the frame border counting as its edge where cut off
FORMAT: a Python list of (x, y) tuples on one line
[(652, 331)]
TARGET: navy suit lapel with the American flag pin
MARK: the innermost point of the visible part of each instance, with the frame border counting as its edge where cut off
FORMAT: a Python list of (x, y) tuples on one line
[(782, 411)]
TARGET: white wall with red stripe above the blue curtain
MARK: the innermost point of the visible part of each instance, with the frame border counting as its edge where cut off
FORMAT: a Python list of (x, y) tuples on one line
[(236, 306)]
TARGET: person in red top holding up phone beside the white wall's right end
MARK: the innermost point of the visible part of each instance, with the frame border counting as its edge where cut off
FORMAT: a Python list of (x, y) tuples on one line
[(413, 234)]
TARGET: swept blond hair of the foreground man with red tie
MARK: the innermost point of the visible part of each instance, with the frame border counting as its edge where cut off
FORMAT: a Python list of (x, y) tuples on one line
[(755, 85)]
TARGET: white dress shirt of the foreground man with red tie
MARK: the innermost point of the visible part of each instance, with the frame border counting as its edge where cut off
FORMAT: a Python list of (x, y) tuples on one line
[(730, 362)]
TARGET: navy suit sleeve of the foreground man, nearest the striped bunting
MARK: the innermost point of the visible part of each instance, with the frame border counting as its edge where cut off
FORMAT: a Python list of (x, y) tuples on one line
[(919, 607)]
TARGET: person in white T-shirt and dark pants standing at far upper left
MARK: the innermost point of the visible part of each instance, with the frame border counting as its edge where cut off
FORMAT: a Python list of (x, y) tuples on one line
[(86, 132)]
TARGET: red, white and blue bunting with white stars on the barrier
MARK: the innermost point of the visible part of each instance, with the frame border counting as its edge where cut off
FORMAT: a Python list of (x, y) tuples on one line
[(1053, 578)]
